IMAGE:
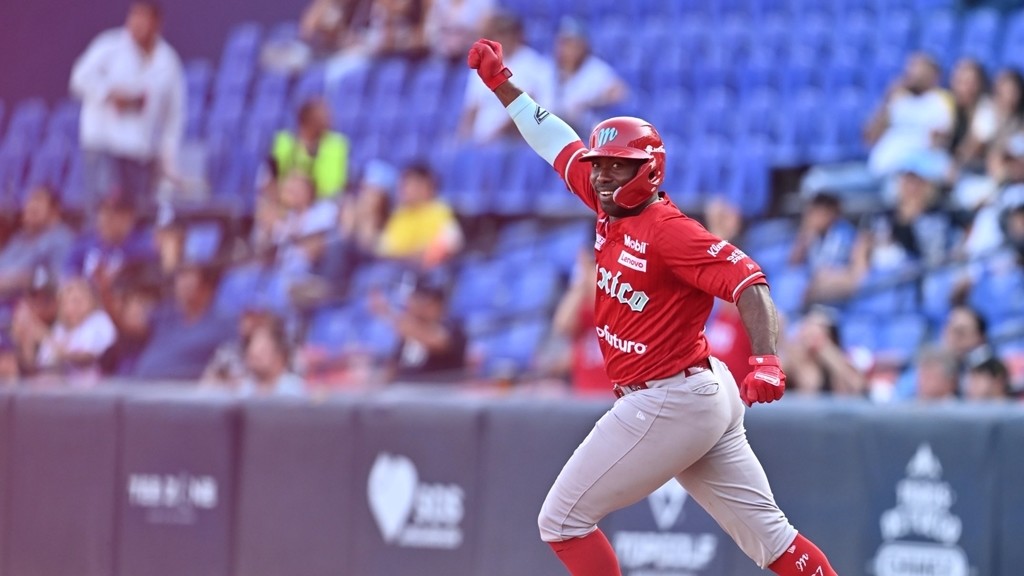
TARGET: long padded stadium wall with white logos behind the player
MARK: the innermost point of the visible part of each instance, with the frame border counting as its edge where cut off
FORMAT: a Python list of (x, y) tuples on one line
[(432, 482)]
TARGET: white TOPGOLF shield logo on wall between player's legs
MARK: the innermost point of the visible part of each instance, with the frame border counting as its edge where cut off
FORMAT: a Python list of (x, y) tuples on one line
[(665, 553)]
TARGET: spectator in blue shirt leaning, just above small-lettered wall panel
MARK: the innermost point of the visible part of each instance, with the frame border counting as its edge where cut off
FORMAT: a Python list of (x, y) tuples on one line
[(186, 333)]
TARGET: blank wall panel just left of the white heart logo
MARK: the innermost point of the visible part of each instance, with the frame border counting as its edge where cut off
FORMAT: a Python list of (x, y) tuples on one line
[(296, 490)]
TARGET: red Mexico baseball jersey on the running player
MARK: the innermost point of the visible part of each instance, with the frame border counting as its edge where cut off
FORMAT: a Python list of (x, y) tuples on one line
[(658, 276)]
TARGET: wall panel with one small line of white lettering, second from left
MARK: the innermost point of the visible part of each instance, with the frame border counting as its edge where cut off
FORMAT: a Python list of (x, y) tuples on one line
[(177, 486)]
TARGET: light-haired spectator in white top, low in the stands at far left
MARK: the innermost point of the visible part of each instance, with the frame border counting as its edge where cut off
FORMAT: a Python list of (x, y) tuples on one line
[(82, 334)]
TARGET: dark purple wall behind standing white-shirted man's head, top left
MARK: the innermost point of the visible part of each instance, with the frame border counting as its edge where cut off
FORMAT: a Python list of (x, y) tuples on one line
[(40, 39)]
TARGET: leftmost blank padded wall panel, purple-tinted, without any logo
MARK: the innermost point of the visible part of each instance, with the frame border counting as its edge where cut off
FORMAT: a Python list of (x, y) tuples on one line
[(63, 473)]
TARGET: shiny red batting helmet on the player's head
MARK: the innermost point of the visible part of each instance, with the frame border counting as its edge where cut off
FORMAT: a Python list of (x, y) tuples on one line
[(625, 137)]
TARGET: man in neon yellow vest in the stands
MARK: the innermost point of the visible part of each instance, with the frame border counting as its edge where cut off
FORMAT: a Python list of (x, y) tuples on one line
[(316, 151)]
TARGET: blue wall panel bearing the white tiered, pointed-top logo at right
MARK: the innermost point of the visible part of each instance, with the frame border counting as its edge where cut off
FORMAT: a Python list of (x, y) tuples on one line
[(931, 482)]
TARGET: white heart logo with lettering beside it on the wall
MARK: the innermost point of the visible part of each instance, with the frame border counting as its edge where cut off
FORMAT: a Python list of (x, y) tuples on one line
[(410, 513)]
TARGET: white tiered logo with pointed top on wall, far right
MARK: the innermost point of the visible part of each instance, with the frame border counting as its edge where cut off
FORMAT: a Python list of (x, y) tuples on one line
[(922, 513)]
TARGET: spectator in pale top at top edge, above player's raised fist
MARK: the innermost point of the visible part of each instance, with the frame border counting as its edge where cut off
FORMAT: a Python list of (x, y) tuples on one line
[(453, 26)]
